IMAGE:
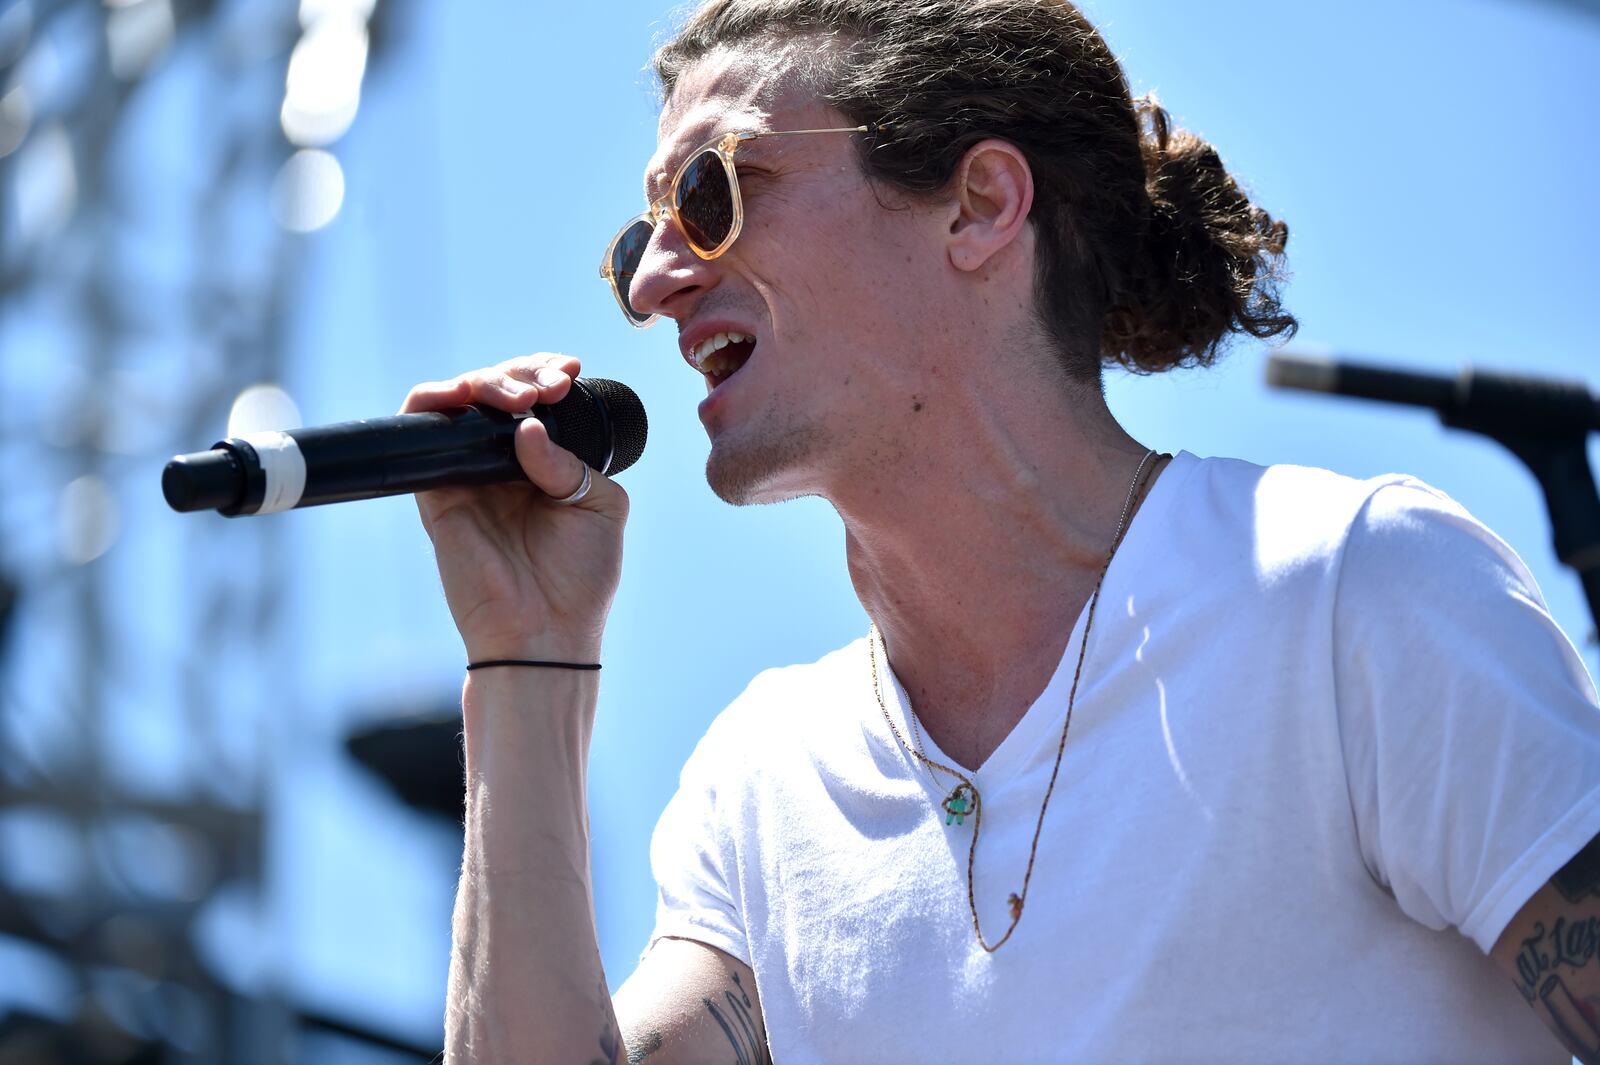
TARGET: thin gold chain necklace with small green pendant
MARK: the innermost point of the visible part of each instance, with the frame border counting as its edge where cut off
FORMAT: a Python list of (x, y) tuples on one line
[(964, 799)]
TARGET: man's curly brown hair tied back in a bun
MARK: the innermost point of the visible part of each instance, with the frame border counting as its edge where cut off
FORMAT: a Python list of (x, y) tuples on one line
[(1145, 239)]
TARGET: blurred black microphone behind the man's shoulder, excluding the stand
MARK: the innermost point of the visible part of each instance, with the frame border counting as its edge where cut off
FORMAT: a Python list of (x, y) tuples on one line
[(1492, 404)]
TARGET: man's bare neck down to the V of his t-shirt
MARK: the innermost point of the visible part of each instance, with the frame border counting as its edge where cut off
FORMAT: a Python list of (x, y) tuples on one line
[(977, 578)]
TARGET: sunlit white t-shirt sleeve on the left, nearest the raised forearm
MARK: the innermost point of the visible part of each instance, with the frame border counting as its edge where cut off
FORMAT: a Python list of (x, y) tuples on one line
[(687, 855)]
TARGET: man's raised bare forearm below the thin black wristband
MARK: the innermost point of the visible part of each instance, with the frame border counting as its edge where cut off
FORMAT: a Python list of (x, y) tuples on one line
[(526, 978)]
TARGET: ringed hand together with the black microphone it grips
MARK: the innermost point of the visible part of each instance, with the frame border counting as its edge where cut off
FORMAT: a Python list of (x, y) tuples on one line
[(494, 457)]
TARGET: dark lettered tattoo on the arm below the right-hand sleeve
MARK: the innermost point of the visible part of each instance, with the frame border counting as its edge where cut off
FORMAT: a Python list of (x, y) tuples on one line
[(1567, 944)]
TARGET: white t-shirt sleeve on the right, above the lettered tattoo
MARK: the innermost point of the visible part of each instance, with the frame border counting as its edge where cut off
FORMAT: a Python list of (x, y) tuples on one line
[(1470, 725)]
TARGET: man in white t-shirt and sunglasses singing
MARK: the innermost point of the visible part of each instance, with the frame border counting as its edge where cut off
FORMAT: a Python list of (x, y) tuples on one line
[(1145, 757)]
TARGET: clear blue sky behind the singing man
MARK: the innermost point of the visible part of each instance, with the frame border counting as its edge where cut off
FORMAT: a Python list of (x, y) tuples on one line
[(1434, 164)]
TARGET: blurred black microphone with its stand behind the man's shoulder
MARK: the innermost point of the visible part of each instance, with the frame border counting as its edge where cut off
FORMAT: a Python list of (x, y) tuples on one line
[(1542, 421)]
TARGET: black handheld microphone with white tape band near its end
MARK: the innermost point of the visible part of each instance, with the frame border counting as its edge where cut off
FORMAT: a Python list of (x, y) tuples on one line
[(599, 421)]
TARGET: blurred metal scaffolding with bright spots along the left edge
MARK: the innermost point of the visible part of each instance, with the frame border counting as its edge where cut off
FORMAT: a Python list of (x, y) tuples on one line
[(145, 289)]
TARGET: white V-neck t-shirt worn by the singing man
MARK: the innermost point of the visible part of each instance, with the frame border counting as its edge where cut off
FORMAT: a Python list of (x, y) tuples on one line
[(1327, 743)]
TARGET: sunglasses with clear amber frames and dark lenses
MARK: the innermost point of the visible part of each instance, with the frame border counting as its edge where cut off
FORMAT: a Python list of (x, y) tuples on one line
[(703, 202)]
